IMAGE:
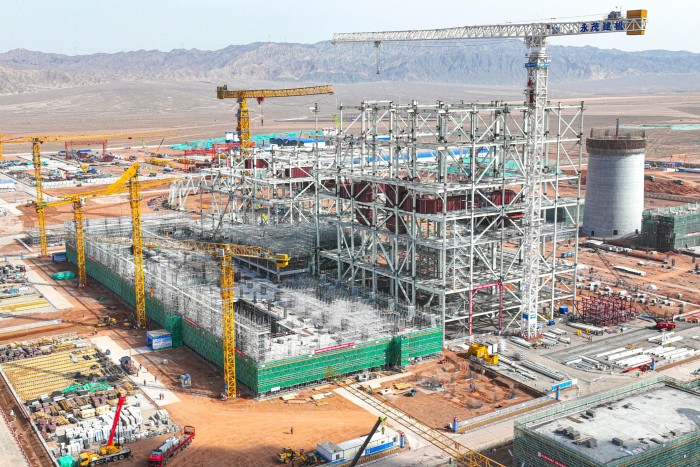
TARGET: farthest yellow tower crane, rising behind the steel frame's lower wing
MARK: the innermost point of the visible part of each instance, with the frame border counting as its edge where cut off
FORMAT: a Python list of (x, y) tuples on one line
[(243, 123)]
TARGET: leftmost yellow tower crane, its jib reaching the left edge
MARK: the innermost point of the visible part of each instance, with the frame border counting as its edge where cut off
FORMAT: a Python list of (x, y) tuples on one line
[(36, 160)]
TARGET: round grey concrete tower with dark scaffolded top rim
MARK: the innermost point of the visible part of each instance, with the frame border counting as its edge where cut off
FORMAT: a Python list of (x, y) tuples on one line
[(614, 183)]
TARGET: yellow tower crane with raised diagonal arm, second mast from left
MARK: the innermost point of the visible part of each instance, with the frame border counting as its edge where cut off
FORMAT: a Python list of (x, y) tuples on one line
[(78, 200)]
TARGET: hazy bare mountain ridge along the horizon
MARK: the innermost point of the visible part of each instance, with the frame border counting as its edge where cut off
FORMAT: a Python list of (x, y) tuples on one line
[(479, 62)]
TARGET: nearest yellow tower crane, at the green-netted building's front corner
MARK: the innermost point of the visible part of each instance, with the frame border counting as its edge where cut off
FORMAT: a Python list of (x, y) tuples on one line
[(224, 253)]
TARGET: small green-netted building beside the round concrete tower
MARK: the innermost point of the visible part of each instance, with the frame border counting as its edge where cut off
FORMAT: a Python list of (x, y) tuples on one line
[(671, 228)]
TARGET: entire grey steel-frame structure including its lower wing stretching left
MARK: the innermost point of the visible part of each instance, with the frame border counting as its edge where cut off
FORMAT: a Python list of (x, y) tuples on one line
[(401, 208)]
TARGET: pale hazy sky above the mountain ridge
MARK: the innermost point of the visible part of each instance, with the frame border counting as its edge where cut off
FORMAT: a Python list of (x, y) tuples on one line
[(83, 27)]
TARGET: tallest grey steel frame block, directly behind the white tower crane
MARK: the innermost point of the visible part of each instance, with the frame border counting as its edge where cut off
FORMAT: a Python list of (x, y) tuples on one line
[(428, 205)]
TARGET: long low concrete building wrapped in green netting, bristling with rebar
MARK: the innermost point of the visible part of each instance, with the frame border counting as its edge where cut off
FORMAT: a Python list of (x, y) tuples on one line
[(288, 334)]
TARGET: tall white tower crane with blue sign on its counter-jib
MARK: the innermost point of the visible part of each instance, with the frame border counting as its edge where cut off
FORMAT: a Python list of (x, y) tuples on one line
[(537, 66)]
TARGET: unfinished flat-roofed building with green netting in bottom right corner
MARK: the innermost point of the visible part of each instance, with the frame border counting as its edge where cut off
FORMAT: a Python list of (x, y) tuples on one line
[(651, 423)]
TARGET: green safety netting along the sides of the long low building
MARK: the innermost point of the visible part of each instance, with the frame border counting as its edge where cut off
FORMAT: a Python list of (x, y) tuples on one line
[(263, 378)]
